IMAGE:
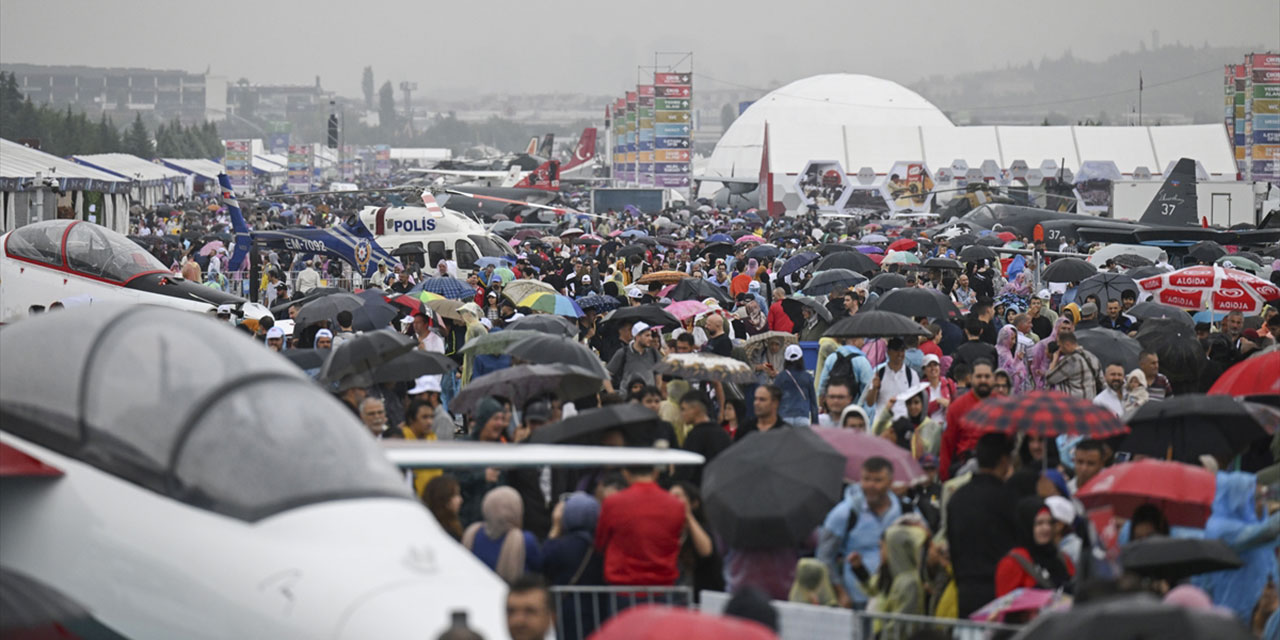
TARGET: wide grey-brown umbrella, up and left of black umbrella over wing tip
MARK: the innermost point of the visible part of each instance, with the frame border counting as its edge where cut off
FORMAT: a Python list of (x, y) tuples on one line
[(523, 383)]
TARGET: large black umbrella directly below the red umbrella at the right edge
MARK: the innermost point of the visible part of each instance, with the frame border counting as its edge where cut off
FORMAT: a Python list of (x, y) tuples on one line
[(1186, 427)]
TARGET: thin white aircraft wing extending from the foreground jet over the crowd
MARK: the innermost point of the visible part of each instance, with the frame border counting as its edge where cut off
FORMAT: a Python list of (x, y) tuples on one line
[(451, 455)]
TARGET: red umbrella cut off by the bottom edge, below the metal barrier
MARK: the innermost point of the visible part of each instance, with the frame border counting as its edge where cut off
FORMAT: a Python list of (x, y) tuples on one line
[(660, 623)]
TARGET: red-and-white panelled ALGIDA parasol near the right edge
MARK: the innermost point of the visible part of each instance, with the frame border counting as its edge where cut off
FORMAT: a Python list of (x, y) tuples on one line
[(1212, 287)]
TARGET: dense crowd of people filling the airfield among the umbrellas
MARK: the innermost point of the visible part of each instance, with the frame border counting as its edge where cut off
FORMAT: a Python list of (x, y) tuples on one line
[(994, 515)]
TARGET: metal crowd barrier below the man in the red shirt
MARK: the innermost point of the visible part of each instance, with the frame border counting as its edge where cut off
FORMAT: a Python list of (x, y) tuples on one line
[(582, 610)]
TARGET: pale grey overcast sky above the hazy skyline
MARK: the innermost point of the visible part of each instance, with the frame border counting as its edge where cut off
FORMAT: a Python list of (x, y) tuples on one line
[(596, 47)]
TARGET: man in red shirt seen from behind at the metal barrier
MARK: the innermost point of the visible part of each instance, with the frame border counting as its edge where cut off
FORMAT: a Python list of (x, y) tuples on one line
[(639, 532)]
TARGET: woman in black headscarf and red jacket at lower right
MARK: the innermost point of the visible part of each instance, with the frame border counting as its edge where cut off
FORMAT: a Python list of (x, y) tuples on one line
[(1037, 563)]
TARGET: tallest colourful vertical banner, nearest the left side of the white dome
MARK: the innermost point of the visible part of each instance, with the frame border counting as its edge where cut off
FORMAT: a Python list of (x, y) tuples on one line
[(674, 130)]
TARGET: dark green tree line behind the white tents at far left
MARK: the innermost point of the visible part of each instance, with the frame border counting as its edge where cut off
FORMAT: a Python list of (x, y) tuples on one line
[(66, 132)]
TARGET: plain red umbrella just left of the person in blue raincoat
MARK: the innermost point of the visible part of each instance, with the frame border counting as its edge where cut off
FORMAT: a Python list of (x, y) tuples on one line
[(1185, 493)]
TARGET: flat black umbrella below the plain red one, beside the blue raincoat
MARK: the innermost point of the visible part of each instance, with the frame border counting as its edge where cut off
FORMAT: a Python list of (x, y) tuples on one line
[(1176, 559)]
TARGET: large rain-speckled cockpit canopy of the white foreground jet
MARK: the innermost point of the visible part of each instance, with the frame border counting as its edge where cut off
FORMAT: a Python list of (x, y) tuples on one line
[(186, 408)]
